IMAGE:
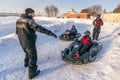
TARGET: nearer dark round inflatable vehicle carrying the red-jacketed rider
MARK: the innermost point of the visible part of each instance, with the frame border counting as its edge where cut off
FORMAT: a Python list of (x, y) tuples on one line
[(89, 56)]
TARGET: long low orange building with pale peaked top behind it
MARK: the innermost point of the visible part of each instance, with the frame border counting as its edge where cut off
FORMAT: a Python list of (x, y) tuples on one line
[(72, 14)]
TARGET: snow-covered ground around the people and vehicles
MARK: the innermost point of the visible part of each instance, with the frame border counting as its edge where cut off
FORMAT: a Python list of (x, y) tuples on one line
[(106, 67)]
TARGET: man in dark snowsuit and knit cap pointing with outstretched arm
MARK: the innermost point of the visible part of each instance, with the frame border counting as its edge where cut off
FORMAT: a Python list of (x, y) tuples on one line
[(26, 29)]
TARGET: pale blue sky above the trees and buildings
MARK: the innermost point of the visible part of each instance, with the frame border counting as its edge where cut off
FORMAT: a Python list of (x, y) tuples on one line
[(63, 5)]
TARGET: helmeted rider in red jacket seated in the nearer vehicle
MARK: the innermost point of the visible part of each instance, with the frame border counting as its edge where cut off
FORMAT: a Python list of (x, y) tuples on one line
[(86, 44)]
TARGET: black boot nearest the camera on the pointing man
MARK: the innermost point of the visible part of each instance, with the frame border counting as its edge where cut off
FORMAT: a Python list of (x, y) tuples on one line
[(33, 72)]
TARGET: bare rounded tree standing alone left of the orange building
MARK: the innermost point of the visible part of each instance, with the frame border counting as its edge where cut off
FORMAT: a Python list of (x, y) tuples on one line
[(51, 11)]
